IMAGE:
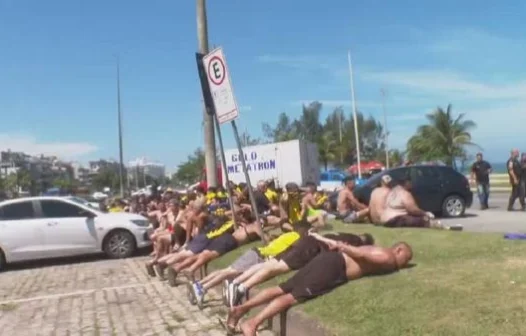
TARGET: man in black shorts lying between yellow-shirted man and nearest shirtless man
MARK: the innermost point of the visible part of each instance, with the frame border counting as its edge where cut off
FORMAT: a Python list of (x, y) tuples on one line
[(299, 255)]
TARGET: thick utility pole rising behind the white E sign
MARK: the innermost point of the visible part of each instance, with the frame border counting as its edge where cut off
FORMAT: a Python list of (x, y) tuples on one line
[(208, 119)]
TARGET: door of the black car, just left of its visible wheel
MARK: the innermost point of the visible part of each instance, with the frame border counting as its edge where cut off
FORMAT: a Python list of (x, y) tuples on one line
[(427, 187)]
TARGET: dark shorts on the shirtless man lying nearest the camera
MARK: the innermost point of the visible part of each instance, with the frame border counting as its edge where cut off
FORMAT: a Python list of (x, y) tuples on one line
[(324, 273)]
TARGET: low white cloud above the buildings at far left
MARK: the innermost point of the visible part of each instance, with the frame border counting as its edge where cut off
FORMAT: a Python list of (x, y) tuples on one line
[(30, 145)]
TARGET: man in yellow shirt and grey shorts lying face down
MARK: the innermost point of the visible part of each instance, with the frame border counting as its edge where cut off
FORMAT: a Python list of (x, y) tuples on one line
[(248, 262)]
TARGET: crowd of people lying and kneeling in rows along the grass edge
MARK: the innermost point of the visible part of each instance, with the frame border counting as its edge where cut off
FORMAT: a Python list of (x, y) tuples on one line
[(323, 262)]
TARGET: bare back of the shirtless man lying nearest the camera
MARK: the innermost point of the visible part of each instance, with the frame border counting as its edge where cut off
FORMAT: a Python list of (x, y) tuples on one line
[(379, 261)]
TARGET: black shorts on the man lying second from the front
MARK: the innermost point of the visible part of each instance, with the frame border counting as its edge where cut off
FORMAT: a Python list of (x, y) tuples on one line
[(301, 253)]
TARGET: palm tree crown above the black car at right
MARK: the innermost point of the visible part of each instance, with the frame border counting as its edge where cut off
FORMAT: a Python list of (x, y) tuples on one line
[(444, 138)]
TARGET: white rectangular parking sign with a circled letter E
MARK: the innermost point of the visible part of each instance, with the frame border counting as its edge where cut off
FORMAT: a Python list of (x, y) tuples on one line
[(220, 86)]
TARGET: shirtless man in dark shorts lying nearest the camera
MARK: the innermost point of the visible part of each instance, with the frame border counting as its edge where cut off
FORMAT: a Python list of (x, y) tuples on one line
[(323, 274)]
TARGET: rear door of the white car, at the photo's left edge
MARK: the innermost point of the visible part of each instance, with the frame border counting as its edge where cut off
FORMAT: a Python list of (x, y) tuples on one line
[(21, 233)]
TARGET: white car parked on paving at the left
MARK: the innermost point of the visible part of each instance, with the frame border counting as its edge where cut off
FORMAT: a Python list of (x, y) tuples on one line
[(49, 227)]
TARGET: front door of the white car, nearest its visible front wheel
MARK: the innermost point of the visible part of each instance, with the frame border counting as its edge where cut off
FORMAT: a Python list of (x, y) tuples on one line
[(69, 230)]
